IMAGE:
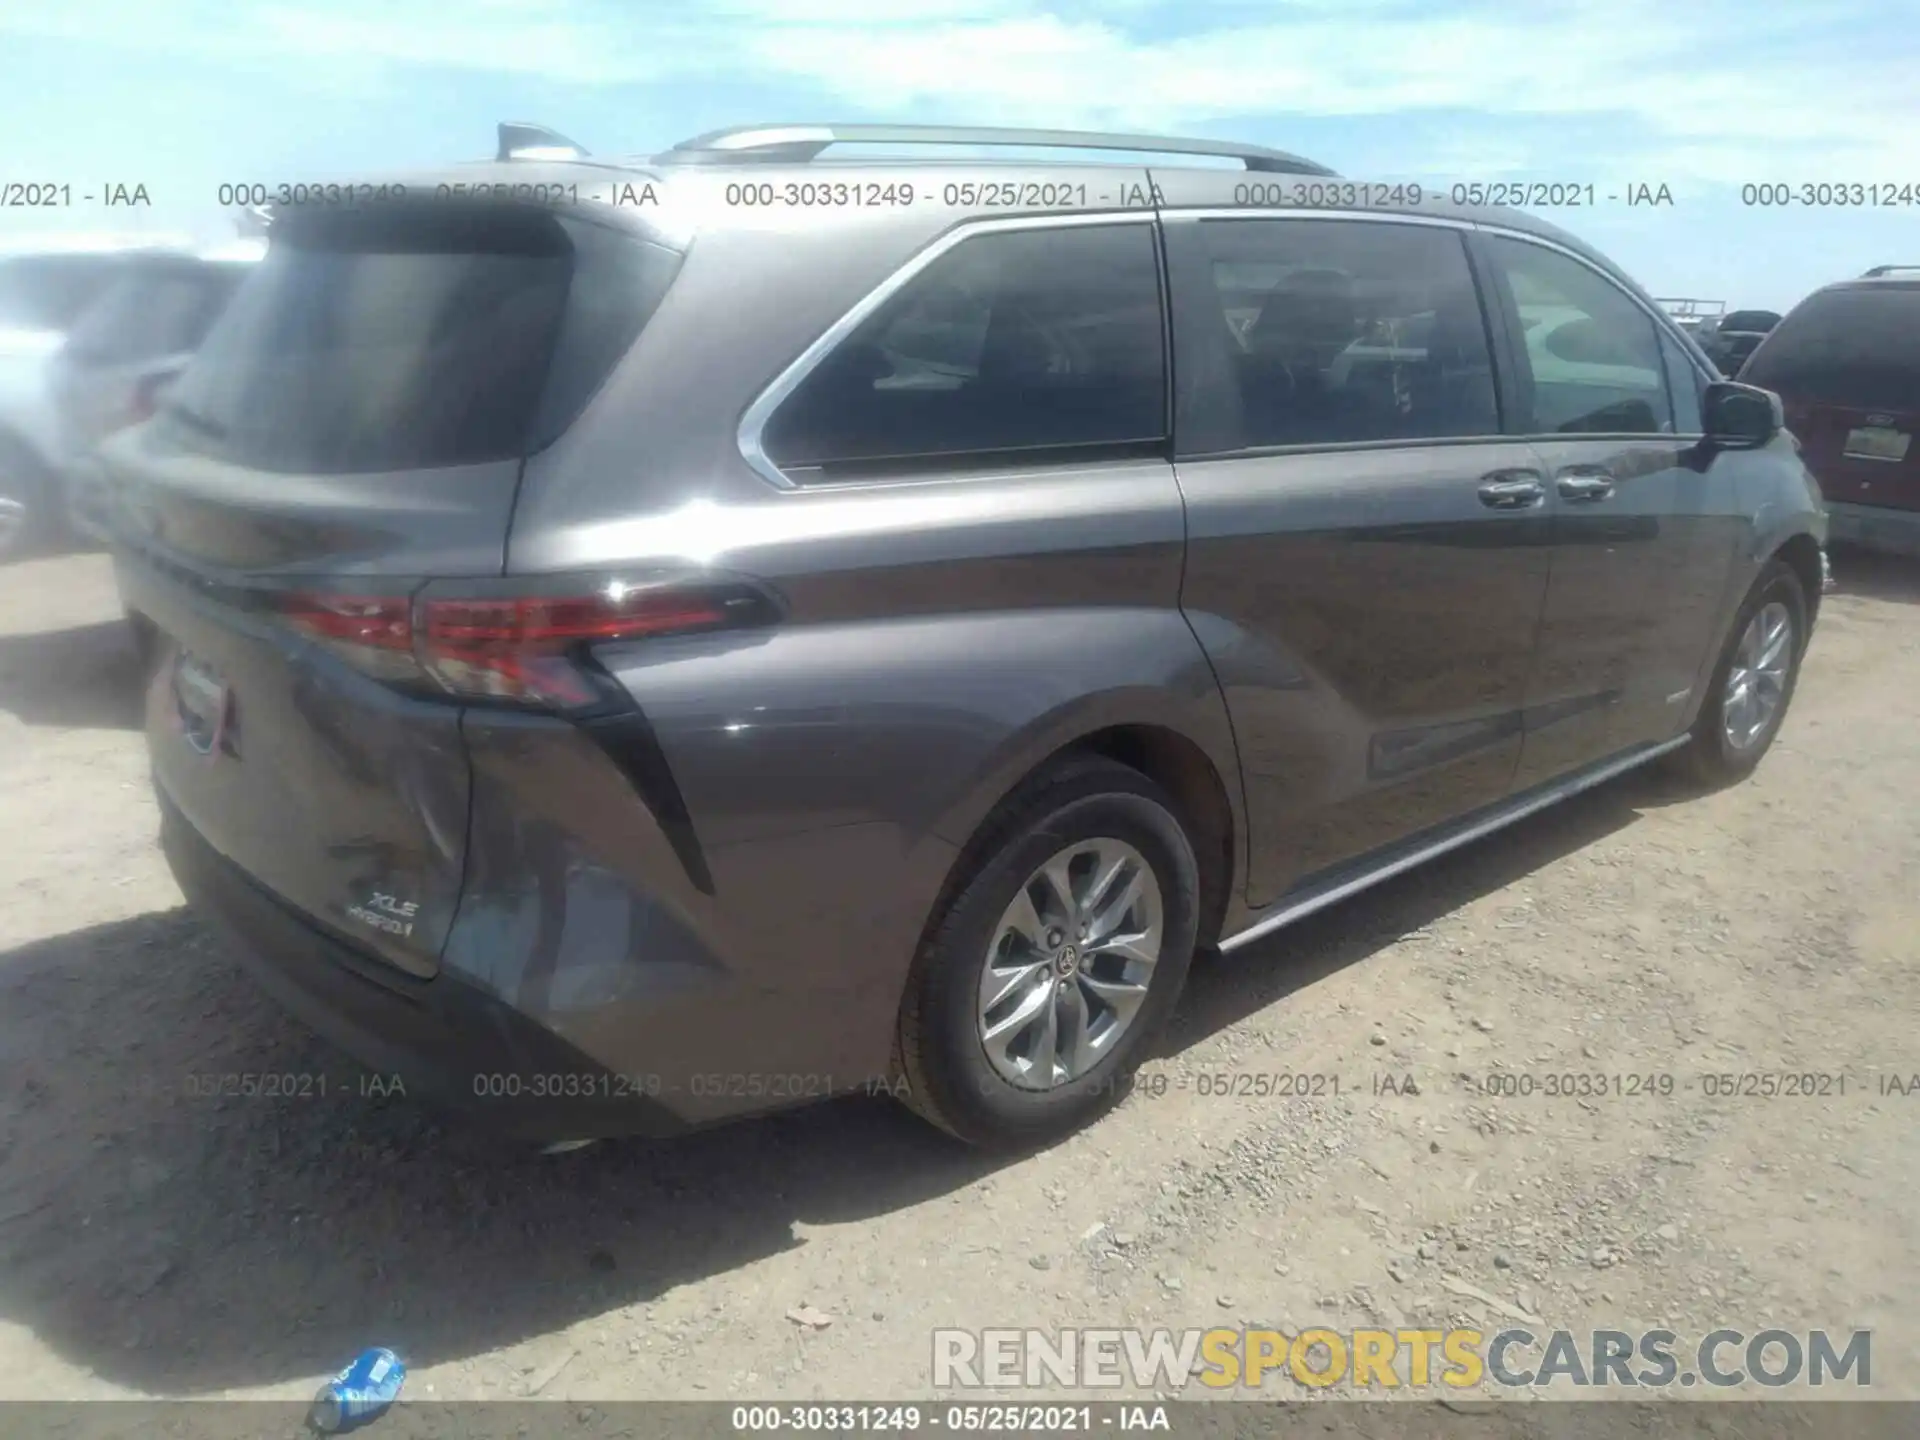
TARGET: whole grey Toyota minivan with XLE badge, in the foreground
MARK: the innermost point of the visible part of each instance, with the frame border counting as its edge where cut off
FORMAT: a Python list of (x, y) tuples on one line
[(646, 642)]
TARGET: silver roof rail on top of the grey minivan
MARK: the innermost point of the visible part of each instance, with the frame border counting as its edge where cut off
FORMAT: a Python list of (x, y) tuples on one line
[(804, 143)]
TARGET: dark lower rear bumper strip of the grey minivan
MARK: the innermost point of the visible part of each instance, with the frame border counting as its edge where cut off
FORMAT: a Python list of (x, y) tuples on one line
[(444, 1038)]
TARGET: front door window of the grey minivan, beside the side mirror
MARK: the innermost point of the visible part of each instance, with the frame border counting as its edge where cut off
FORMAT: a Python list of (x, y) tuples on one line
[(1593, 358)]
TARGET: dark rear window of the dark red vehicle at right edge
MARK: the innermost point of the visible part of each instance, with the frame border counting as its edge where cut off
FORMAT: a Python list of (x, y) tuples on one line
[(1846, 348)]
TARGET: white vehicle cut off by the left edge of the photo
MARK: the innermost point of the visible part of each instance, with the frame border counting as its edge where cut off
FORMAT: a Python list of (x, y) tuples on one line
[(47, 283)]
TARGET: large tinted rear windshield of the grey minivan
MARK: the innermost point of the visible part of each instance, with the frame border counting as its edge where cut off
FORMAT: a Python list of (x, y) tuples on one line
[(406, 341)]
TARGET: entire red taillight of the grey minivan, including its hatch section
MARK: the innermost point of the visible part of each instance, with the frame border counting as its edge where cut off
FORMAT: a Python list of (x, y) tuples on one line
[(502, 646)]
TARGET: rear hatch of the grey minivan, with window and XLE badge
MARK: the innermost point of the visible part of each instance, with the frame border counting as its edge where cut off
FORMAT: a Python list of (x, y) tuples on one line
[(350, 435)]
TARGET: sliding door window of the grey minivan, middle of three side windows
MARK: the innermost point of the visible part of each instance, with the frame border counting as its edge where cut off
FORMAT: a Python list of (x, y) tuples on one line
[(1337, 333)]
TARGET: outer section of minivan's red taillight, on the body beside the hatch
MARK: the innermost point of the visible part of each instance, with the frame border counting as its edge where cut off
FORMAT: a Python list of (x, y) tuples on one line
[(519, 648)]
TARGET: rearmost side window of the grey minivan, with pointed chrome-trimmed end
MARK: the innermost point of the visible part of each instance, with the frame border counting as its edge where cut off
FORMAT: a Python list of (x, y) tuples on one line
[(1011, 345)]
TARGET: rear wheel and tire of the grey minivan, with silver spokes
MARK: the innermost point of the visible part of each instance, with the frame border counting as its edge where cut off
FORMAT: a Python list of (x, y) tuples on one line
[(1103, 817)]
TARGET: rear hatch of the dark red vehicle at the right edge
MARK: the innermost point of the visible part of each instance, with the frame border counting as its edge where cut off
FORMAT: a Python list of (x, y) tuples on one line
[(1846, 366)]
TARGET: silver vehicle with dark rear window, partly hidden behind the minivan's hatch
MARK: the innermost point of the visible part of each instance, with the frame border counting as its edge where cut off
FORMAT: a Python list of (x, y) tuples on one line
[(126, 350)]
